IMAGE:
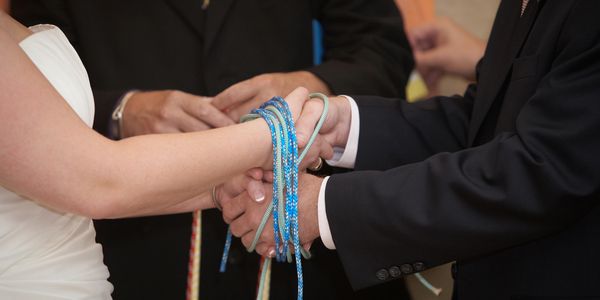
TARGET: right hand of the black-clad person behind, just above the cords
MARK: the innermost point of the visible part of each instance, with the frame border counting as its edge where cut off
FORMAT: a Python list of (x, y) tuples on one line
[(241, 98)]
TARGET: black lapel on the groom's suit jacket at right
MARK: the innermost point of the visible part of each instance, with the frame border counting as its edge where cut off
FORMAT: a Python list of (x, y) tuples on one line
[(508, 36)]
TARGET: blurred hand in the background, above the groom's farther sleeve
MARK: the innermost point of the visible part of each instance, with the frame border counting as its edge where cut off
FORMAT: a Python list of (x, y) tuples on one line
[(443, 47)]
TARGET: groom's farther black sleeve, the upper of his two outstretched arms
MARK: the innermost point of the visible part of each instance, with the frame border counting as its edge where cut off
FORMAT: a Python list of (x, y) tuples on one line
[(432, 126)]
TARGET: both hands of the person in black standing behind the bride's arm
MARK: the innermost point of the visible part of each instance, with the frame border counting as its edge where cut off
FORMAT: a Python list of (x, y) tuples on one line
[(173, 111)]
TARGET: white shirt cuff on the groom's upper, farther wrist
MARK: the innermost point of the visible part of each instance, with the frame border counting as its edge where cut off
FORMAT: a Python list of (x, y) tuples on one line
[(346, 157)]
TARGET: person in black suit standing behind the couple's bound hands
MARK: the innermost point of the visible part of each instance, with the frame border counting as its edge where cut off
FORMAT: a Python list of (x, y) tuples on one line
[(168, 58)]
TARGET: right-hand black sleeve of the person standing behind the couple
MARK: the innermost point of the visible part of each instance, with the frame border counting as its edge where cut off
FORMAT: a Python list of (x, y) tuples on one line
[(366, 50)]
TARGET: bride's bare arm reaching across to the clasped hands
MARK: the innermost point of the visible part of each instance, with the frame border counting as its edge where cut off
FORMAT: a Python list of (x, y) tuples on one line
[(61, 163)]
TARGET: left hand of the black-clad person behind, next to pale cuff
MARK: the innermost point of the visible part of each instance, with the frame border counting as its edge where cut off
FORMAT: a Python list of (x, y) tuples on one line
[(169, 112)]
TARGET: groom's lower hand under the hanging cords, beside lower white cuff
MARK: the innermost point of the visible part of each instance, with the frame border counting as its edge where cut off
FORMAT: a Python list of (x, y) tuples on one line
[(244, 215)]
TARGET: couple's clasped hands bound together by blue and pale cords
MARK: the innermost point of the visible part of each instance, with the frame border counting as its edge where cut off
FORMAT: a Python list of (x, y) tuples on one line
[(245, 199)]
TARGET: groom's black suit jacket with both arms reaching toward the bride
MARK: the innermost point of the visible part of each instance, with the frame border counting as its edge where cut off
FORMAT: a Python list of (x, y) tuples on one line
[(505, 180)]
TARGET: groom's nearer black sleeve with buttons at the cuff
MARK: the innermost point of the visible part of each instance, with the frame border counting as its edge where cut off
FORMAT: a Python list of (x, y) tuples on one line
[(520, 186)]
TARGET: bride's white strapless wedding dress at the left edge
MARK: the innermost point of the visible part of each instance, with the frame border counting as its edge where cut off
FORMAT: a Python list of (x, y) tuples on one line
[(45, 254)]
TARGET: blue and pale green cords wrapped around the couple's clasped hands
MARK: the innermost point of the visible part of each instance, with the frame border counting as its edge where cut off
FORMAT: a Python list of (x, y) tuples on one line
[(284, 205)]
